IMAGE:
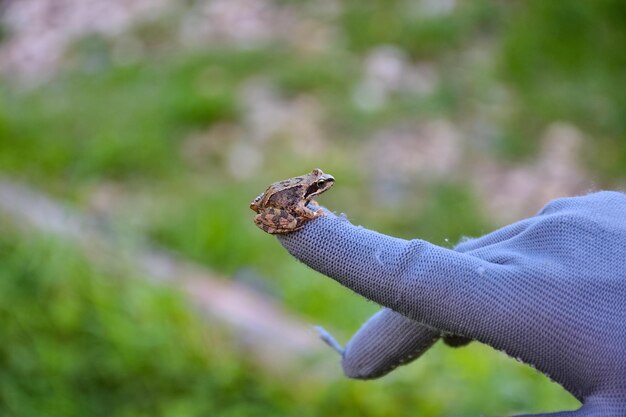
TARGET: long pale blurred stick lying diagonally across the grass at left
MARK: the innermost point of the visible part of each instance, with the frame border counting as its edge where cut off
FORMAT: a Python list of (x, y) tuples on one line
[(276, 339)]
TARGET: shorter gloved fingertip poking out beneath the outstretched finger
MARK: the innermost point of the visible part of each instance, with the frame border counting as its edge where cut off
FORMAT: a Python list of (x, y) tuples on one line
[(386, 341)]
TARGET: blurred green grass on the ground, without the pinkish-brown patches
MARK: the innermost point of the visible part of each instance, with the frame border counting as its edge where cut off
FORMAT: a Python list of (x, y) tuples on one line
[(75, 329)]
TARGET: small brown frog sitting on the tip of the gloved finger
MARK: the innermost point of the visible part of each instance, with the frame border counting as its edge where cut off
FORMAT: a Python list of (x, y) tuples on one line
[(282, 208)]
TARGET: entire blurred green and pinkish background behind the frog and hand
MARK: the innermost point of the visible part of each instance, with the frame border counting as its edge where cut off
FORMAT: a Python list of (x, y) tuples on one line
[(134, 133)]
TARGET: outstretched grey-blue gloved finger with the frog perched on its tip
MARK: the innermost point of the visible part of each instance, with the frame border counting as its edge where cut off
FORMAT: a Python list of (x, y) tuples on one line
[(442, 288)]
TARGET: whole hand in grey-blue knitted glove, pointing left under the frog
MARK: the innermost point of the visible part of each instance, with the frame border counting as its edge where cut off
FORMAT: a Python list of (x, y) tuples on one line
[(549, 290)]
